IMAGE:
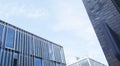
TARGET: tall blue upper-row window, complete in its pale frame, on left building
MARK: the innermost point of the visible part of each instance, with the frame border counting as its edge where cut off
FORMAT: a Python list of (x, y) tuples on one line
[(10, 38)]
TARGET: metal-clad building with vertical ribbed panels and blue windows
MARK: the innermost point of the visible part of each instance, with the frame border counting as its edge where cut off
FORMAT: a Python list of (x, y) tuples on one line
[(21, 48)]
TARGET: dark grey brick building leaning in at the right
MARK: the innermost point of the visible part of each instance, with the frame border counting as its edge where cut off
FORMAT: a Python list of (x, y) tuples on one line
[(105, 18)]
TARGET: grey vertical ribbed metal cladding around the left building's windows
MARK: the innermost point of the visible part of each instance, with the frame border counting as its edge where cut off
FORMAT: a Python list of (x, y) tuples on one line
[(22, 47)]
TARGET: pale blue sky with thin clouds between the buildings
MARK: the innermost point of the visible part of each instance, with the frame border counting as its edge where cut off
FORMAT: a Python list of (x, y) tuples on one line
[(64, 22)]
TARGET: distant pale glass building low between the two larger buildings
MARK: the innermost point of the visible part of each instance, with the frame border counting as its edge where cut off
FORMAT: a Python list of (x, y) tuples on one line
[(87, 62)]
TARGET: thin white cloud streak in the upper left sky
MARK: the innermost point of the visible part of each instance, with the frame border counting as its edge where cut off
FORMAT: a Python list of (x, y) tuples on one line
[(13, 9)]
